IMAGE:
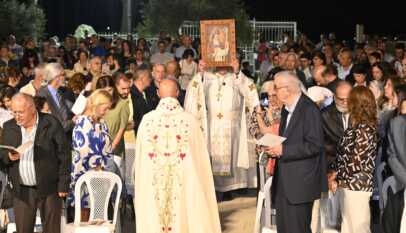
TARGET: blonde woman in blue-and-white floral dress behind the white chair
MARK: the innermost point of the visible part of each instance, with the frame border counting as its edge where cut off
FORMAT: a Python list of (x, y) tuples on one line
[(91, 144)]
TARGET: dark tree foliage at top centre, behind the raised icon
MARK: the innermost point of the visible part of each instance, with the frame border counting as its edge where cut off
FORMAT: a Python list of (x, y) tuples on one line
[(168, 15)]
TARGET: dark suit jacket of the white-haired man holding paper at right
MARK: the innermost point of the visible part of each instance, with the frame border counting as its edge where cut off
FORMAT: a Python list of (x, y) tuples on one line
[(301, 170)]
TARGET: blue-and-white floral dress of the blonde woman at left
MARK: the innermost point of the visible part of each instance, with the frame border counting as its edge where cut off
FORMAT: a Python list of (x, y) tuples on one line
[(91, 148)]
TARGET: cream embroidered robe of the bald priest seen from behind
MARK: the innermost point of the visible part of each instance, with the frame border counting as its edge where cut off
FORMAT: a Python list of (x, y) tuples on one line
[(174, 188)]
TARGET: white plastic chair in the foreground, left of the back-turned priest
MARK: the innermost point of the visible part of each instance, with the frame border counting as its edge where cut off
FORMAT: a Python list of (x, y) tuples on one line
[(100, 185)]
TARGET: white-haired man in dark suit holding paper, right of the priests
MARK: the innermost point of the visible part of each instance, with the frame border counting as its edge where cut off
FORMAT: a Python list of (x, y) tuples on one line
[(300, 175)]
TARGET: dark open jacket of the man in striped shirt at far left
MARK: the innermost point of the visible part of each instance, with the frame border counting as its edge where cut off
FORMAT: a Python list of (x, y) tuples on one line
[(52, 157)]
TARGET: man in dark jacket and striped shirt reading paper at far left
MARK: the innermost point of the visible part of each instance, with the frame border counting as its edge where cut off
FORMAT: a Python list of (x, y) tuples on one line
[(40, 175)]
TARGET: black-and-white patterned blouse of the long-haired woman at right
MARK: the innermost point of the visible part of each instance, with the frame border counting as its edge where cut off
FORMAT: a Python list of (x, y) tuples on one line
[(356, 153)]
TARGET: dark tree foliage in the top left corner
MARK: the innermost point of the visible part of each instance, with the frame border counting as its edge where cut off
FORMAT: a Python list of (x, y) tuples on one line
[(21, 19)]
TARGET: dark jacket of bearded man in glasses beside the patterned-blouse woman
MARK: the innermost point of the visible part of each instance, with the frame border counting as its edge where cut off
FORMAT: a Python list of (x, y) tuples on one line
[(333, 129)]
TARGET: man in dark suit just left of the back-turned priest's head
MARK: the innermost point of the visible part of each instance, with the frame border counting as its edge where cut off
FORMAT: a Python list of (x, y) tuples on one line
[(141, 103)]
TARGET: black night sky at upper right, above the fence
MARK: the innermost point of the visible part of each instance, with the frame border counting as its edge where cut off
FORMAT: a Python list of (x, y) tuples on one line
[(315, 17)]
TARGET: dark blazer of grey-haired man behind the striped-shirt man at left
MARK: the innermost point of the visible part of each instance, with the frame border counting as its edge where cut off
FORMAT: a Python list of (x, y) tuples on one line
[(62, 113)]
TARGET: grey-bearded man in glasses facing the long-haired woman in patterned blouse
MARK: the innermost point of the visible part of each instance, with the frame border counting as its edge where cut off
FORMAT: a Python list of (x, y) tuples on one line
[(335, 120)]
